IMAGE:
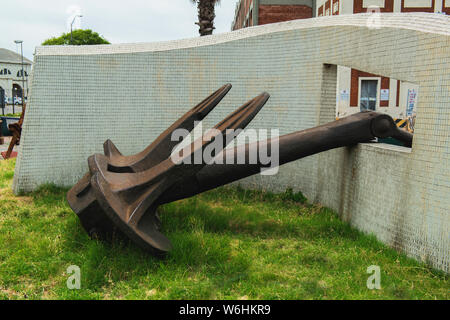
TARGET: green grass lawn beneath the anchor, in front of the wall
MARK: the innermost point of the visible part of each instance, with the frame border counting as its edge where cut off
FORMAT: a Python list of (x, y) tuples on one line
[(228, 244)]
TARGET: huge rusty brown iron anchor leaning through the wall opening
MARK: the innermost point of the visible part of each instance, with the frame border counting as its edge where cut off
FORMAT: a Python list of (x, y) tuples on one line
[(120, 194)]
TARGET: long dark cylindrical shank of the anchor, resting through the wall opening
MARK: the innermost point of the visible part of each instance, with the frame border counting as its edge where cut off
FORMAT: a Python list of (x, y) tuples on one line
[(361, 127)]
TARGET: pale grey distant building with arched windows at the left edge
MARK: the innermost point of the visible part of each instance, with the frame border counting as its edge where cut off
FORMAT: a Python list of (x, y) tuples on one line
[(11, 81)]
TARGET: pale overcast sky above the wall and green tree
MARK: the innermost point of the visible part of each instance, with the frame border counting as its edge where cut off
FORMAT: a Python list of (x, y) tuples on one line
[(34, 21)]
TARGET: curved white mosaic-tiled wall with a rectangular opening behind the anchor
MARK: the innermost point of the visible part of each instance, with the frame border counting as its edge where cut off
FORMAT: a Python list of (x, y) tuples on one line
[(80, 96)]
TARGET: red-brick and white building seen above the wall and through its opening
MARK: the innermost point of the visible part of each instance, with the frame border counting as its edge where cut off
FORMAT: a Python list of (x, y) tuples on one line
[(356, 90)]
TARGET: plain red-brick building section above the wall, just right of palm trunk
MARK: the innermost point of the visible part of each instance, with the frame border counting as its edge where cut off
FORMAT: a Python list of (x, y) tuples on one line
[(257, 12)]
